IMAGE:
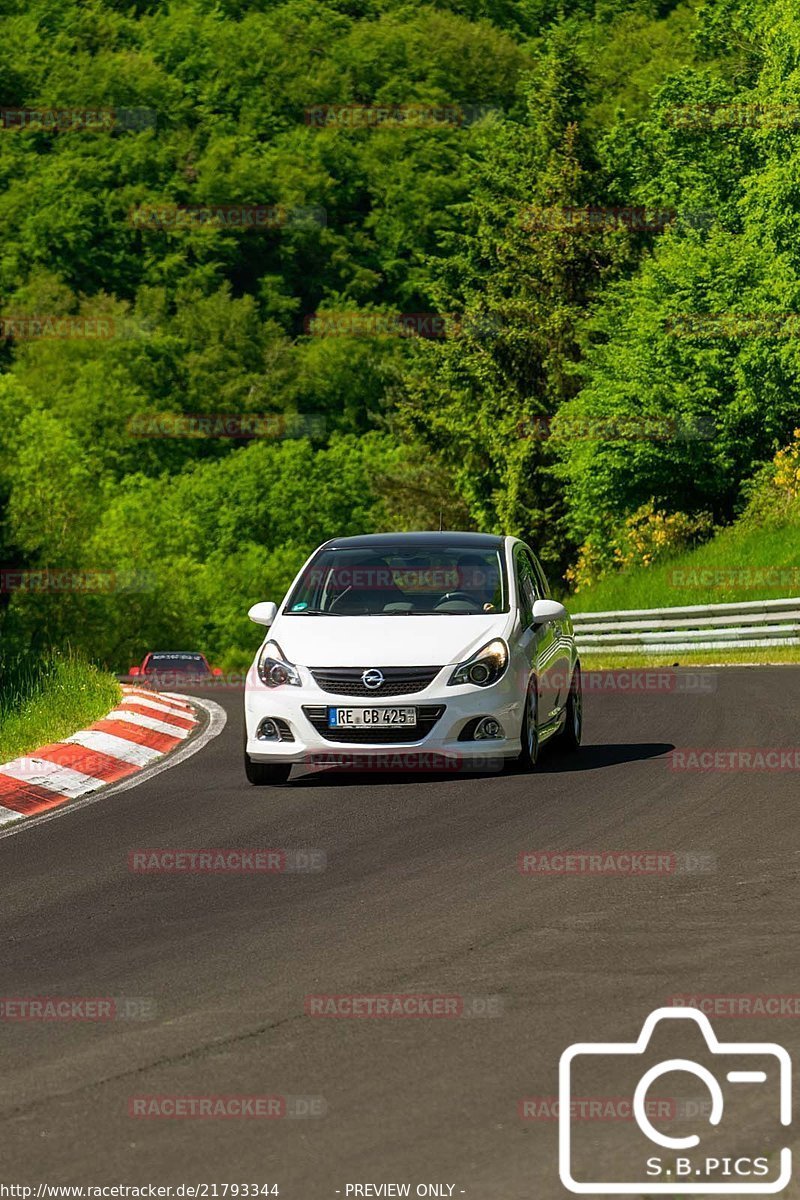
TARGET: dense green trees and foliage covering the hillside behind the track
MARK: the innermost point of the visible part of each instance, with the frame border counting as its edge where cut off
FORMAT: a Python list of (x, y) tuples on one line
[(560, 340)]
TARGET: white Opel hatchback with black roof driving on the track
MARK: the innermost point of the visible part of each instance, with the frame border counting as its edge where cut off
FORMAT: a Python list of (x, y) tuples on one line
[(413, 644)]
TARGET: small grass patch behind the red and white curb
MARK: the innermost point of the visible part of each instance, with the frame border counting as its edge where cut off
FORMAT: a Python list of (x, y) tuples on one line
[(47, 699)]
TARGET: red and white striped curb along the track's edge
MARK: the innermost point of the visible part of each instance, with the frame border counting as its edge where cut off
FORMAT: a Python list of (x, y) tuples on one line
[(143, 729)]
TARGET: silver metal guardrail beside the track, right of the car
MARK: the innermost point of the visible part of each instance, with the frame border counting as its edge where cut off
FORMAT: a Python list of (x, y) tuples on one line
[(709, 627)]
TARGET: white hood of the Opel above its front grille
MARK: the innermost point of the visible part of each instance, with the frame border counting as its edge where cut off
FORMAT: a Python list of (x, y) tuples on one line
[(386, 641)]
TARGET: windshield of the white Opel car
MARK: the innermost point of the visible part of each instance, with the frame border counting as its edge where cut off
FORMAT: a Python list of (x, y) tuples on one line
[(402, 580)]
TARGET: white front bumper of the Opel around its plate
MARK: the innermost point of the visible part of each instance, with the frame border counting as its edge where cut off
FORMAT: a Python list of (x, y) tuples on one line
[(303, 711)]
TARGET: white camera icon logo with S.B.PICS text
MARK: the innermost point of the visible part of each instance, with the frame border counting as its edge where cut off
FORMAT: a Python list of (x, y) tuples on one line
[(664, 1162)]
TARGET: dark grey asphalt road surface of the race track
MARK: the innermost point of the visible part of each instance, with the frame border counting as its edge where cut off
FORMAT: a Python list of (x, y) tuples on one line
[(422, 893)]
